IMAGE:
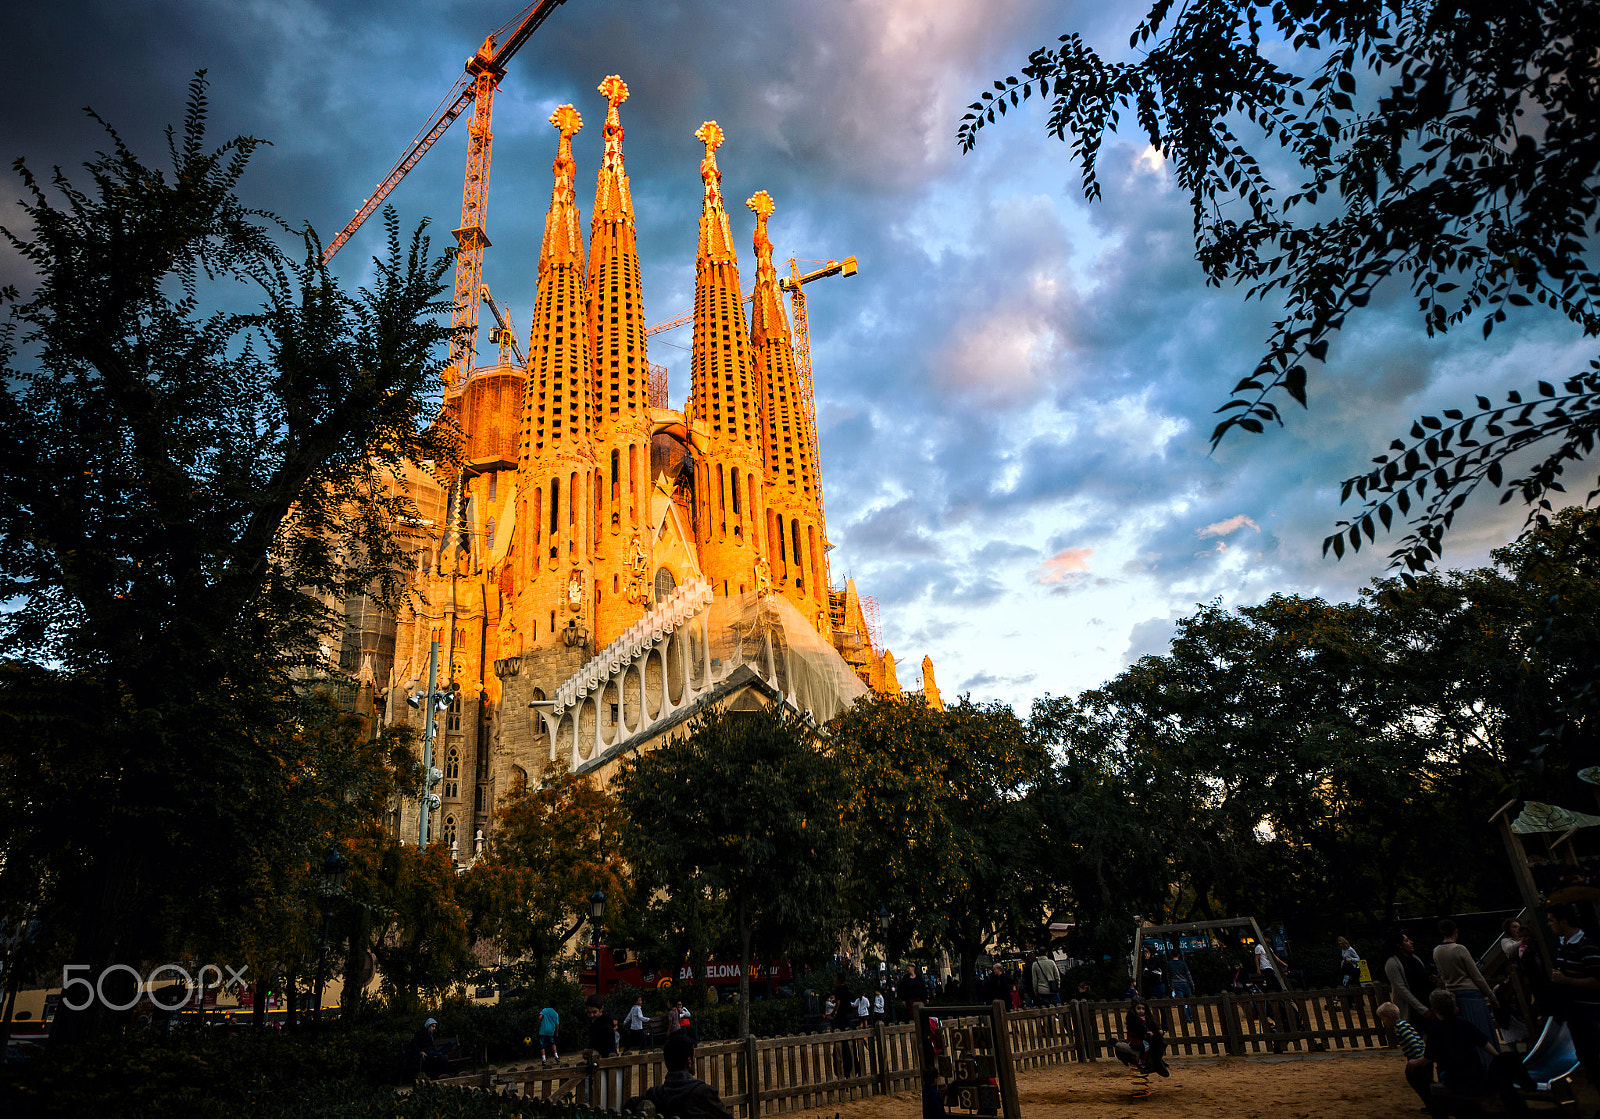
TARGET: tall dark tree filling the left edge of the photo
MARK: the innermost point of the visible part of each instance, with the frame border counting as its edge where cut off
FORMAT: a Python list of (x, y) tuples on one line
[(186, 494)]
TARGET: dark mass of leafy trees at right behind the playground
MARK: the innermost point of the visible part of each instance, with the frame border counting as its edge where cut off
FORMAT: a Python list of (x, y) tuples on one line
[(1327, 763)]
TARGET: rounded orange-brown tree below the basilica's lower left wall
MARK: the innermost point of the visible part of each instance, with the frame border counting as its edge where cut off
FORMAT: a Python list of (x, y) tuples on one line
[(553, 846)]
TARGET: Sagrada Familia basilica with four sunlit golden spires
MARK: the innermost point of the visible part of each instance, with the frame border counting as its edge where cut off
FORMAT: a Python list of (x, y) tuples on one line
[(602, 568)]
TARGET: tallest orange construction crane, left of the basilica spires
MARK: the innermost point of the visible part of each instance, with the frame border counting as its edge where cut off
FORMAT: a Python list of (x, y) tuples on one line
[(474, 87)]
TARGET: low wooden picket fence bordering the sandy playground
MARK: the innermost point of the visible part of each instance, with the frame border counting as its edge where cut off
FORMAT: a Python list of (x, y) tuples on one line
[(772, 1077)]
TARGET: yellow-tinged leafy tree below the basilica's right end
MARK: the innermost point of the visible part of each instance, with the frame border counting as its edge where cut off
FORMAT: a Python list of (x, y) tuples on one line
[(945, 832)]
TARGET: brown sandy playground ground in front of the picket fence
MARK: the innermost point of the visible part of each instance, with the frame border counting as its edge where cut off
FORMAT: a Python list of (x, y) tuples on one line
[(1322, 1086)]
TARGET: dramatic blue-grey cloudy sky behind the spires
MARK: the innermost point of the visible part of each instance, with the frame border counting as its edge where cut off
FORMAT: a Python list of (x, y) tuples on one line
[(1014, 395)]
